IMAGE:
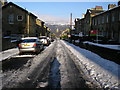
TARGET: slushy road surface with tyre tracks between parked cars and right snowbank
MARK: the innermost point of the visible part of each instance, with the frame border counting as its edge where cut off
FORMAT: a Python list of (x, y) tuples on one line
[(54, 67)]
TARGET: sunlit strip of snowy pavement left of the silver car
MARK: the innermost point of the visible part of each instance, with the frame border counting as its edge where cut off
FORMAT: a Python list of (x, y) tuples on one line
[(8, 53)]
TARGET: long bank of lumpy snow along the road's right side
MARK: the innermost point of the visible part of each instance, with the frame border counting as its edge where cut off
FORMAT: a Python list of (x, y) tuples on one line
[(105, 72)]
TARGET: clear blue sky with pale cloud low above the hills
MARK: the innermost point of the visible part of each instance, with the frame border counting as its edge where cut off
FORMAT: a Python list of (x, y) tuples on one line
[(59, 12)]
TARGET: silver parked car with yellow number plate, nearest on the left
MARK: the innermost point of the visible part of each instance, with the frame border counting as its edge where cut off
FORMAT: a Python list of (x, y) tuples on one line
[(30, 44)]
